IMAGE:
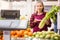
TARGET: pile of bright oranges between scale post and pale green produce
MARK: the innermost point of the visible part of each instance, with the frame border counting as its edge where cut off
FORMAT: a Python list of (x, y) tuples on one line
[(21, 33)]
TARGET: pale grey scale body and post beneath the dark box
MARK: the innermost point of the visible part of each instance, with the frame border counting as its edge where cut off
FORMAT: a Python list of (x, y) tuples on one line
[(8, 25)]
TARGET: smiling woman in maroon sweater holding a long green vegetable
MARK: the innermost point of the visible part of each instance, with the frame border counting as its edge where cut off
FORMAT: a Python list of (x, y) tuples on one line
[(37, 17)]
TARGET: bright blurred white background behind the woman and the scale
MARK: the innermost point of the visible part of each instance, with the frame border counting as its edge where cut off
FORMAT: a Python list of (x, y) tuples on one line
[(26, 7)]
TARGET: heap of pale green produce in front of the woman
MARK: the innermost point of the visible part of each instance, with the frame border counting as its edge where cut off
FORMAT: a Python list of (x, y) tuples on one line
[(46, 35)]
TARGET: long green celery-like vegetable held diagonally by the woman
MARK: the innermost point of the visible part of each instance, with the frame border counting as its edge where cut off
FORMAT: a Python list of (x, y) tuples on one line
[(49, 14)]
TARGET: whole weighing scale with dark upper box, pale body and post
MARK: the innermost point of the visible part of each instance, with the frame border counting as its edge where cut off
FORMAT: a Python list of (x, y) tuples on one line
[(10, 22)]
